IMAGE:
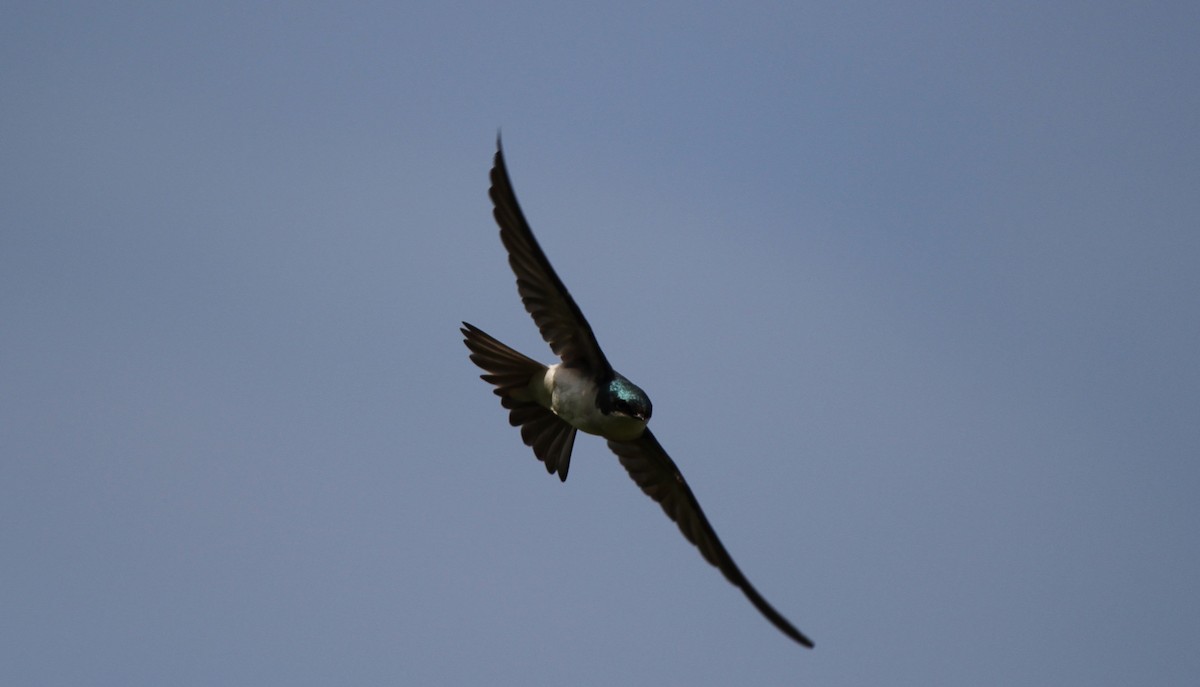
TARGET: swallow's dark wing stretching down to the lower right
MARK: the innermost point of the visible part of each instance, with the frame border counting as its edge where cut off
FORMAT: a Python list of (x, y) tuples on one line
[(655, 471)]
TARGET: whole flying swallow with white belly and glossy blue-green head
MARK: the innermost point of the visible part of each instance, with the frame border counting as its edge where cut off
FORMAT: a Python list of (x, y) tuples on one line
[(584, 393)]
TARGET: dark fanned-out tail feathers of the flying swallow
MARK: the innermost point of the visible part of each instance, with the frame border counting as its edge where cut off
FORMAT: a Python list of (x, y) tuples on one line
[(511, 373)]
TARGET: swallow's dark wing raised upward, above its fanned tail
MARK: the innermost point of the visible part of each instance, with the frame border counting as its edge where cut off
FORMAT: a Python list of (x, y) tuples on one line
[(553, 308)]
